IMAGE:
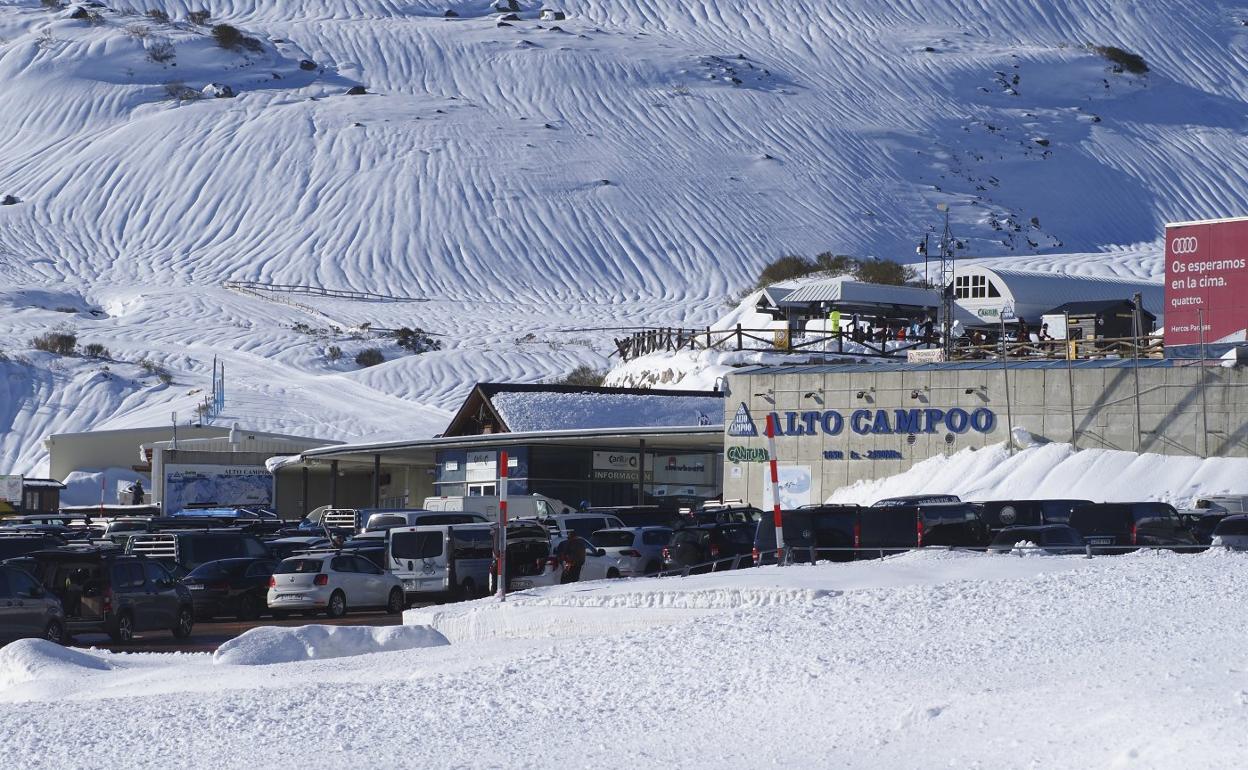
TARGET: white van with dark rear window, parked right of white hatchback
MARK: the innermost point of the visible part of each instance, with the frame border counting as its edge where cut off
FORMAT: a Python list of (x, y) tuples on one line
[(442, 560)]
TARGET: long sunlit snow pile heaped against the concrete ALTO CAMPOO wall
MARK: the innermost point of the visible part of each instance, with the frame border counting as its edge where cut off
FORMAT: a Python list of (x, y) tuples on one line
[(1058, 471)]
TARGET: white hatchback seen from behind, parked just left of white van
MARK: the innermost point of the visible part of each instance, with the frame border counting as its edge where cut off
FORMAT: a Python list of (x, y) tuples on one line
[(333, 583)]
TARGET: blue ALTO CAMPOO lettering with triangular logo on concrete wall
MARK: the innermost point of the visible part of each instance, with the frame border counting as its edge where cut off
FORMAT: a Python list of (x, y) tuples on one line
[(868, 422)]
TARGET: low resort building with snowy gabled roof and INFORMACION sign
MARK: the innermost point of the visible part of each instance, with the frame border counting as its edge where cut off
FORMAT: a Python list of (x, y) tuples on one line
[(605, 446)]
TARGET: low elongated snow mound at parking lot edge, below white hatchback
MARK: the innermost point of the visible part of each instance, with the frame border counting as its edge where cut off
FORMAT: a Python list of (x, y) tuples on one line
[(274, 645)]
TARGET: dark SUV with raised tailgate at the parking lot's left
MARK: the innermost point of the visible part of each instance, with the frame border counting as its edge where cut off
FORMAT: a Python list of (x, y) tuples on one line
[(113, 593)]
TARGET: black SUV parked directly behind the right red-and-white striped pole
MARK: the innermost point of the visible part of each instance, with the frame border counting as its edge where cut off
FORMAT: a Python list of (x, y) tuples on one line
[(819, 527)]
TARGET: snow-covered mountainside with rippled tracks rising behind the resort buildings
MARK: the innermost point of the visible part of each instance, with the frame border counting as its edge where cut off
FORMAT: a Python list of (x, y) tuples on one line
[(630, 165)]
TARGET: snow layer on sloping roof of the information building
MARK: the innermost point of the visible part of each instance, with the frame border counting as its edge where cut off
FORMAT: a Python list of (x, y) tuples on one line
[(560, 411)]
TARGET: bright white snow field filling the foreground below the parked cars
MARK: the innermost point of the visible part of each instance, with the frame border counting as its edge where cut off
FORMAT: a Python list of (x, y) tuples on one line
[(928, 660)]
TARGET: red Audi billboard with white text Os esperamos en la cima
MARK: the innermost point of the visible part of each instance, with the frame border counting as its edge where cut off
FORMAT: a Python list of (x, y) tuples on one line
[(1206, 281)]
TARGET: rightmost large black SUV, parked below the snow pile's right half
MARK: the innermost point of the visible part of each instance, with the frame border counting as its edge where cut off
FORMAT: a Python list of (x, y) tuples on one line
[(1121, 527)]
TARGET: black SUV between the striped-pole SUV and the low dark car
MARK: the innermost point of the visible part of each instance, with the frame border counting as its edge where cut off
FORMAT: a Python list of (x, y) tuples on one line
[(899, 527)]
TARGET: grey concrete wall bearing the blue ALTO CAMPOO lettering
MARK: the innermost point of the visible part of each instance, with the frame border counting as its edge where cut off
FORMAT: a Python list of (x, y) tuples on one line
[(1040, 400)]
